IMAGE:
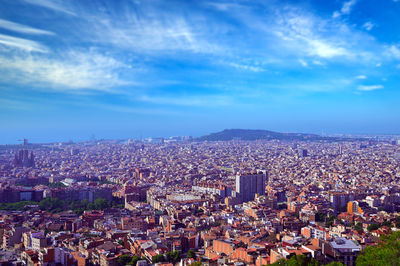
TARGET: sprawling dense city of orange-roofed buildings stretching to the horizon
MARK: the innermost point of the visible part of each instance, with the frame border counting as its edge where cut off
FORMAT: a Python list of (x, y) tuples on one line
[(181, 201)]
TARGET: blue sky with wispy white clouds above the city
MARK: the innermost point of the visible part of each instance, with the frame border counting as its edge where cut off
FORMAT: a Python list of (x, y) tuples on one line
[(156, 68)]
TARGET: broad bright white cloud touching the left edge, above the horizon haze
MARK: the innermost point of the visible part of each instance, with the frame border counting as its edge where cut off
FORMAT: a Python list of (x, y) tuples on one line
[(75, 71)]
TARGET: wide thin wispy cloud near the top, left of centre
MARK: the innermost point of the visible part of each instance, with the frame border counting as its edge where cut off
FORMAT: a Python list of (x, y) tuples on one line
[(155, 34)]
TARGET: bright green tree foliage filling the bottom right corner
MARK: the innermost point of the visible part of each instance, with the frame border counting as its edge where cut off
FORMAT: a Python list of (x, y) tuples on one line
[(387, 252)]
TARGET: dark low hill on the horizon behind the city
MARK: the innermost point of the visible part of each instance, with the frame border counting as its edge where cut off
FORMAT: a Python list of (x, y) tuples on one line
[(250, 134)]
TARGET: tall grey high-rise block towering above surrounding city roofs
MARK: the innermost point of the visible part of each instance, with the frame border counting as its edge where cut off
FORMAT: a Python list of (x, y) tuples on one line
[(248, 185)]
